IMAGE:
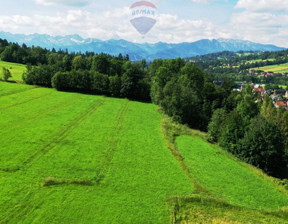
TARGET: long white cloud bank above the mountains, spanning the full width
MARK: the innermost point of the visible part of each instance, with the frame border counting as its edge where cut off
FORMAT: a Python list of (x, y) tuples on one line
[(259, 26)]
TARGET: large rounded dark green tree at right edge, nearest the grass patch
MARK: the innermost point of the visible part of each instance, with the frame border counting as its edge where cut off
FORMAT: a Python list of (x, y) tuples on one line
[(263, 147)]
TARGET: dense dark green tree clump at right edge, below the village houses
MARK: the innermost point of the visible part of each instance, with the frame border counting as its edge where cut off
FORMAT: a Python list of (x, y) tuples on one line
[(254, 131)]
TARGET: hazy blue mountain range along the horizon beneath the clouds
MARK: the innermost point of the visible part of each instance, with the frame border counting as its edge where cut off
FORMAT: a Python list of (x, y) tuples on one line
[(137, 51)]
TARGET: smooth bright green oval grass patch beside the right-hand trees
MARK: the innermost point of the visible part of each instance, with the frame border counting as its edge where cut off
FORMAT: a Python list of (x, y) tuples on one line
[(227, 178)]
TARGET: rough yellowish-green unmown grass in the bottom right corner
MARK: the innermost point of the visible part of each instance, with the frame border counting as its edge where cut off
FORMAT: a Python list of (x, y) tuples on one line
[(199, 209)]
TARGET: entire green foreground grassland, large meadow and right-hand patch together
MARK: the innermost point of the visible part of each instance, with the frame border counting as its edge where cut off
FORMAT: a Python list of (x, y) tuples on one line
[(74, 158)]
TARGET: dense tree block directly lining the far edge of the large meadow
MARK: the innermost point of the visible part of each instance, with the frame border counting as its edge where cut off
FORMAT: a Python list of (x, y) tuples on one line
[(98, 74)]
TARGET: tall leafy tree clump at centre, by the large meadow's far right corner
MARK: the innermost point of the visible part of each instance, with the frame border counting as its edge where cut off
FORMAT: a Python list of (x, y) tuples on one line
[(185, 92)]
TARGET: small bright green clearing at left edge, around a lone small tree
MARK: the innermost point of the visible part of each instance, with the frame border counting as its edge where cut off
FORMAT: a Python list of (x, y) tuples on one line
[(15, 69)]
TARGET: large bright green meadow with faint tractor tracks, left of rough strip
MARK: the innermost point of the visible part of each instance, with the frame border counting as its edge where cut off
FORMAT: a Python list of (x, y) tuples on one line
[(72, 158)]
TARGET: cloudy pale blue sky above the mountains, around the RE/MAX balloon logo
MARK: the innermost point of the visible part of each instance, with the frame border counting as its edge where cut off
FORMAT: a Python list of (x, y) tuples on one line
[(263, 21)]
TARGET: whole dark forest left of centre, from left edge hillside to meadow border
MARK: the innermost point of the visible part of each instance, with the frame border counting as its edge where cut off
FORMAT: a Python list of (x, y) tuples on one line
[(92, 73)]
